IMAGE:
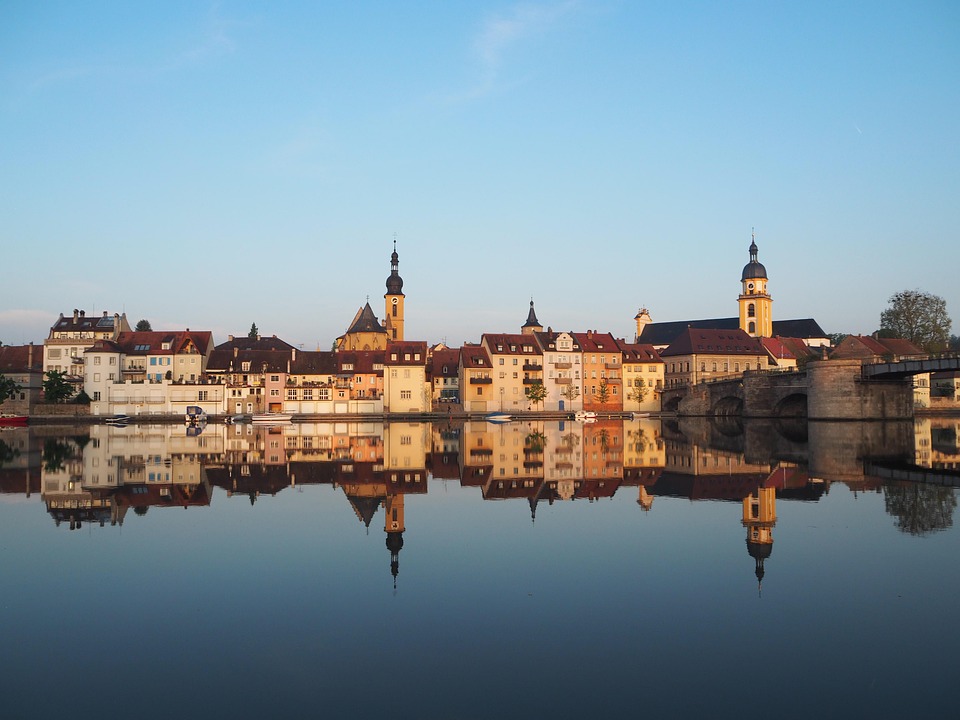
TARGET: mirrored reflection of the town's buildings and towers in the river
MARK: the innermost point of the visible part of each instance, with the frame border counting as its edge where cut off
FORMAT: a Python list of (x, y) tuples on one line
[(97, 474)]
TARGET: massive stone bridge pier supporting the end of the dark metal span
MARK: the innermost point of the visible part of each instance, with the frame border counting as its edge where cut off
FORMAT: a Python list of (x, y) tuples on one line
[(837, 391)]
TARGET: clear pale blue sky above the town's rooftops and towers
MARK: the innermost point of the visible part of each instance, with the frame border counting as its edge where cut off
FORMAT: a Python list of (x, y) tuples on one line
[(211, 165)]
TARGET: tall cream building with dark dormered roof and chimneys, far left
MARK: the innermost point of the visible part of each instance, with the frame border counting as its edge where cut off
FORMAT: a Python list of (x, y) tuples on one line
[(70, 336)]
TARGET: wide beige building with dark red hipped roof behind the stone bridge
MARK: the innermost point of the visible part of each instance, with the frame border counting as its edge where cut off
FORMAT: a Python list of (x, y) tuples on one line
[(699, 354)]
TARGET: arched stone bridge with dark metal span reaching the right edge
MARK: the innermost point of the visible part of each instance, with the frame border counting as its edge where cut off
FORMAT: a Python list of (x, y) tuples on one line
[(824, 390)]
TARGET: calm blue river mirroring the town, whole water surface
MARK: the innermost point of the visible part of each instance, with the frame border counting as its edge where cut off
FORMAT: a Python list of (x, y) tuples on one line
[(525, 570)]
